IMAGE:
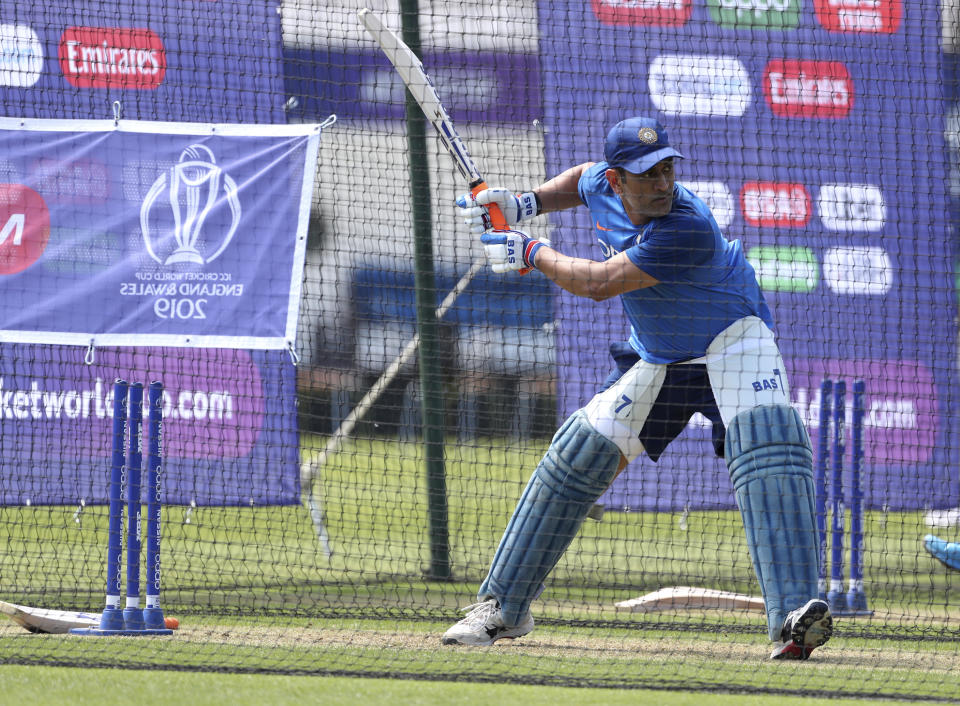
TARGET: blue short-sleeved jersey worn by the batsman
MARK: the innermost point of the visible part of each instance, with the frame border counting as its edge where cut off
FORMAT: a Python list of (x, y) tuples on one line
[(705, 281)]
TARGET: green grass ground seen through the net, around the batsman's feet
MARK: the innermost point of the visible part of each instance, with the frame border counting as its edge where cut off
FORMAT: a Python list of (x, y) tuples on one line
[(256, 593)]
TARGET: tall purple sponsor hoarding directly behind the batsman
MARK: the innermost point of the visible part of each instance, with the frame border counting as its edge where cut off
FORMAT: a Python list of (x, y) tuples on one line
[(797, 137)]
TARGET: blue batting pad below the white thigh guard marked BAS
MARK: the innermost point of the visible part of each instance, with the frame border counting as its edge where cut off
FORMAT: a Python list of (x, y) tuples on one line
[(770, 459)]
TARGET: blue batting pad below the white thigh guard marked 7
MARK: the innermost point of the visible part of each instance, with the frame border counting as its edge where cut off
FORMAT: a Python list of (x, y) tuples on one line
[(577, 468)]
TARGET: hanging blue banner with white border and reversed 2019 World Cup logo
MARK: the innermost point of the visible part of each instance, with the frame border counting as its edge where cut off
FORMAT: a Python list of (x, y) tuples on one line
[(164, 234)]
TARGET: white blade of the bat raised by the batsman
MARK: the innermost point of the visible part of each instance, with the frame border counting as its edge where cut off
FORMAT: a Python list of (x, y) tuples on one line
[(410, 69)]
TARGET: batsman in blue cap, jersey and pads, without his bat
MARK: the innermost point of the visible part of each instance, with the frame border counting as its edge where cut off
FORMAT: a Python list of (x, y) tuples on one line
[(701, 340)]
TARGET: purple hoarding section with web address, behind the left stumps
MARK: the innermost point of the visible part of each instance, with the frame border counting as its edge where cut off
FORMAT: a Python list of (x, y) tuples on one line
[(226, 420)]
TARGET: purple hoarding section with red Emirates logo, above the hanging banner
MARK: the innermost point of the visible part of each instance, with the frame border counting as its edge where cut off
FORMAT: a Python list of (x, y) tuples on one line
[(183, 60)]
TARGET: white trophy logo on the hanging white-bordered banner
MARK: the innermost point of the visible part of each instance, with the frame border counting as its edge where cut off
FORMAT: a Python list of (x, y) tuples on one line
[(196, 187)]
